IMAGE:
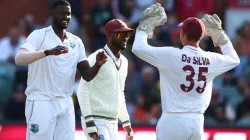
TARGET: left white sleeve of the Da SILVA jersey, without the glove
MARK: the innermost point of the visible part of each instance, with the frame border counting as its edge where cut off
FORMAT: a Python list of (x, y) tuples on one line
[(156, 56)]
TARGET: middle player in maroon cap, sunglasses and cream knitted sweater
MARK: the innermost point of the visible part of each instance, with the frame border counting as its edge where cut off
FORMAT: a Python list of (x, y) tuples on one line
[(102, 100)]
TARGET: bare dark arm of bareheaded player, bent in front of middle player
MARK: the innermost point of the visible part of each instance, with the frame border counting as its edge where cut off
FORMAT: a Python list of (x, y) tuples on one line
[(87, 72)]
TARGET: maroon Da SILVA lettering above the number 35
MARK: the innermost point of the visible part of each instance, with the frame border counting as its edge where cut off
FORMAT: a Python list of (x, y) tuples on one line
[(195, 60)]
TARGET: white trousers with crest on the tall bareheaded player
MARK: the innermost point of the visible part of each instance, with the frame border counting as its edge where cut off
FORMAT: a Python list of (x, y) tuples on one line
[(50, 120)]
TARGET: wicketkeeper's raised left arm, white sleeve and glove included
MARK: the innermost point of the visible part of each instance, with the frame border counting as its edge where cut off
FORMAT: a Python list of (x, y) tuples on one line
[(157, 56)]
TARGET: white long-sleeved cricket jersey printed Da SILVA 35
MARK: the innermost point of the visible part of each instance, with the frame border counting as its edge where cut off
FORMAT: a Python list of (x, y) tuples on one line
[(186, 75)]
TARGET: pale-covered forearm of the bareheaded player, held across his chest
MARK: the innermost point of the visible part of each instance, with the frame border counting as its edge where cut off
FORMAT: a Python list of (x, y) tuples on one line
[(24, 57)]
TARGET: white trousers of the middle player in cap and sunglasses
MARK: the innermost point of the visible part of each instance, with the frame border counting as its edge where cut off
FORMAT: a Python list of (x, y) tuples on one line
[(107, 129)]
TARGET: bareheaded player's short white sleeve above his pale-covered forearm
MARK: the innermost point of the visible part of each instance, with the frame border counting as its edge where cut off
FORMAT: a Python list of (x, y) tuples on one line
[(33, 41)]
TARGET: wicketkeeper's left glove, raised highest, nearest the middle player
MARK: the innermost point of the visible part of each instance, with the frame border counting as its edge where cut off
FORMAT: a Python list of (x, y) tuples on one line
[(153, 16)]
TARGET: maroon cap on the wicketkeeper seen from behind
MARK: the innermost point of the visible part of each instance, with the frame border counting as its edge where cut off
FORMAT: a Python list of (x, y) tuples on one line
[(193, 27)]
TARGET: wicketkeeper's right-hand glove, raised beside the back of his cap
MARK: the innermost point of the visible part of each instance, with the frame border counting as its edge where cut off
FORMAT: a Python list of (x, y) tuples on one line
[(214, 29)]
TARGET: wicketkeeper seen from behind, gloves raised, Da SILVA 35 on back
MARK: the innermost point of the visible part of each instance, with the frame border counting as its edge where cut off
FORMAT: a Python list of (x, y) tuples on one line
[(186, 75)]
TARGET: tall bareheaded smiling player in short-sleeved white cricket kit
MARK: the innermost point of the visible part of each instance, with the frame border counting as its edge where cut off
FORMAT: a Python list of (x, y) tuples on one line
[(52, 55)]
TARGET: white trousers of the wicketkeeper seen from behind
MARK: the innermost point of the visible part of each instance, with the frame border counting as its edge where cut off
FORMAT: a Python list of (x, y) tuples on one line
[(180, 126)]
